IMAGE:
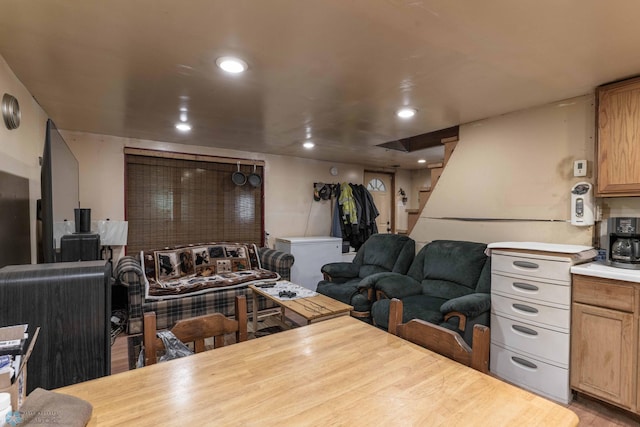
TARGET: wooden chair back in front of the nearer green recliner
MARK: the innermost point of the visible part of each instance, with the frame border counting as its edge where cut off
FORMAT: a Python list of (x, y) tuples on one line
[(442, 340)]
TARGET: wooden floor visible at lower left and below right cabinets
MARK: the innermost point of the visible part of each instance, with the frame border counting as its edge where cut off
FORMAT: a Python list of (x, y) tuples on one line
[(592, 413)]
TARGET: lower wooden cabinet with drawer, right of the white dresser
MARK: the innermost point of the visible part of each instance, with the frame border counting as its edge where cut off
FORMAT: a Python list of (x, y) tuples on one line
[(604, 340)]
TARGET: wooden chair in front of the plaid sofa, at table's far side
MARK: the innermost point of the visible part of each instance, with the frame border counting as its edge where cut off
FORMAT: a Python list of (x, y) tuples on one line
[(196, 329)]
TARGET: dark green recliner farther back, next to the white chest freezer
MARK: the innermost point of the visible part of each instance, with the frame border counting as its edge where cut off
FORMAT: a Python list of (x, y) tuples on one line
[(380, 253)]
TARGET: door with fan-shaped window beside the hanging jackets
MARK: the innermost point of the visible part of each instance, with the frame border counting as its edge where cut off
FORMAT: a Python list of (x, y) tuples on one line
[(381, 186)]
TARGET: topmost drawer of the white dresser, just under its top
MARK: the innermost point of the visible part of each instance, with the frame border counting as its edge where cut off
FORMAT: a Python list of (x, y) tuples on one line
[(532, 267)]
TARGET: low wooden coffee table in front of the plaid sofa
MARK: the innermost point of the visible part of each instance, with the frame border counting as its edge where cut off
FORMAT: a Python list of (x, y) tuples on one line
[(312, 309)]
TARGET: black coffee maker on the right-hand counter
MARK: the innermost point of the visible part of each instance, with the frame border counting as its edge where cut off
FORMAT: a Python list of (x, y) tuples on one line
[(624, 242)]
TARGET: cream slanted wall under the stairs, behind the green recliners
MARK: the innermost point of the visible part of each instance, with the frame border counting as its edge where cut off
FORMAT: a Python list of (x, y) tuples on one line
[(512, 176)]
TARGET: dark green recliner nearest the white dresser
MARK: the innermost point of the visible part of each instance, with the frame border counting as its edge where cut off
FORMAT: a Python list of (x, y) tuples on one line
[(448, 284)]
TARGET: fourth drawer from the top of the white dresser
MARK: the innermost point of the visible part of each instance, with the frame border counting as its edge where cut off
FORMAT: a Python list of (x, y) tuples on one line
[(541, 343)]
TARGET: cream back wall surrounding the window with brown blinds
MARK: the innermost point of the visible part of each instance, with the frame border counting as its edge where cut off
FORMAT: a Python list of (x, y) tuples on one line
[(289, 206)]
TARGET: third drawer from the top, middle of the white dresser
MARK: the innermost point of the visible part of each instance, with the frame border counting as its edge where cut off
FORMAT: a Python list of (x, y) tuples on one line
[(527, 311)]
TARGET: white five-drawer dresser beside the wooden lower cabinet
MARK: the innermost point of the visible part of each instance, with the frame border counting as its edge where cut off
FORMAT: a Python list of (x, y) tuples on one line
[(531, 314)]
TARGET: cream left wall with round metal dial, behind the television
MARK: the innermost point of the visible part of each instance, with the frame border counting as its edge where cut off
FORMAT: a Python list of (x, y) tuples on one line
[(21, 148)]
